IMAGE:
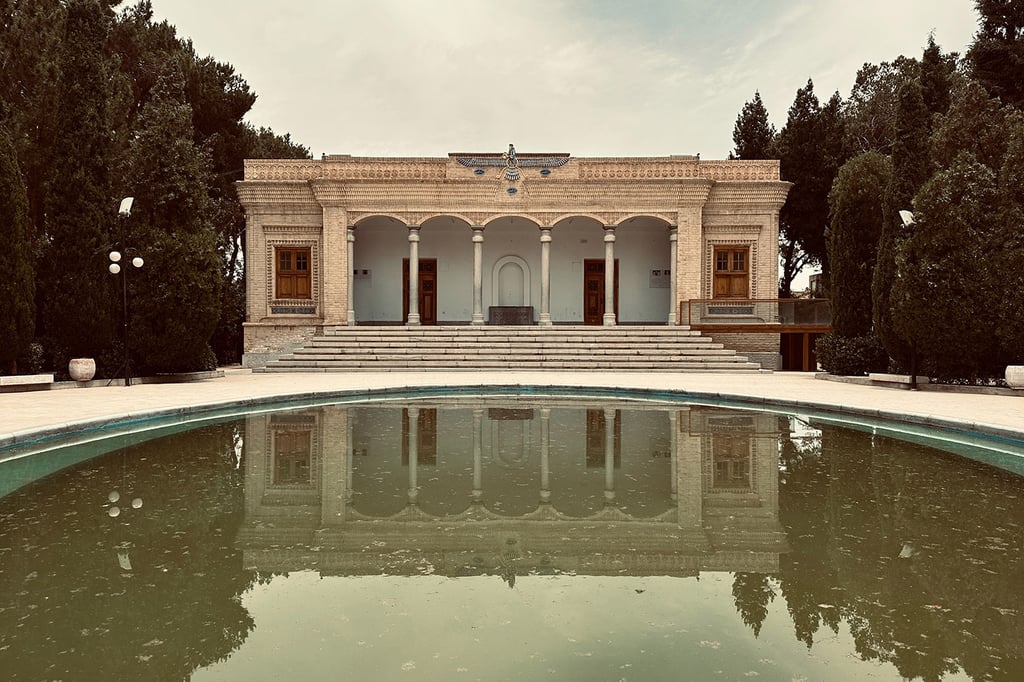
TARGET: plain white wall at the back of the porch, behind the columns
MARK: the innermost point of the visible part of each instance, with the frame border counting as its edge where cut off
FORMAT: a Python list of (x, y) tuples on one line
[(642, 245)]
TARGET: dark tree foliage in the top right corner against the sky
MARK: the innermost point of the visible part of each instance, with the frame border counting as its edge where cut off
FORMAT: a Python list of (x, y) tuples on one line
[(997, 57)]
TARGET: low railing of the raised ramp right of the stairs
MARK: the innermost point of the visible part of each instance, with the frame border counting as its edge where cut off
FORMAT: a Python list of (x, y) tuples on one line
[(756, 312)]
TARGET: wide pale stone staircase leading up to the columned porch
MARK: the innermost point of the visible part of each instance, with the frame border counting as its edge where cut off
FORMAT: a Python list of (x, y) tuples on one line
[(492, 348)]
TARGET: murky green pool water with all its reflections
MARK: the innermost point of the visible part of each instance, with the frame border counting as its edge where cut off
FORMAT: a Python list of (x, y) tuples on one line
[(516, 540)]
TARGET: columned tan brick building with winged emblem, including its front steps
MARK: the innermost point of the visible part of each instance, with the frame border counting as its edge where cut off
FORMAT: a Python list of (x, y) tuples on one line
[(627, 254)]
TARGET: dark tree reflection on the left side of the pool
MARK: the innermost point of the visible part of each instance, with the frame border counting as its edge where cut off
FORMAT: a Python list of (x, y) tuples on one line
[(70, 611)]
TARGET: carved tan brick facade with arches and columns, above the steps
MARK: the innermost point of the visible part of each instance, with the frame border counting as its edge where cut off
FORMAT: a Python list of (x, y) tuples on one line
[(343, 205)]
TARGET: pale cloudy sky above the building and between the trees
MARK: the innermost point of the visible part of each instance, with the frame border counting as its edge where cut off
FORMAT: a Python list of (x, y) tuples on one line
[(414, 78)]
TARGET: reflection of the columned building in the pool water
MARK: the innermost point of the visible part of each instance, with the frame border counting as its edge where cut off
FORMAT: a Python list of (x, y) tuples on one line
[(513, 488)]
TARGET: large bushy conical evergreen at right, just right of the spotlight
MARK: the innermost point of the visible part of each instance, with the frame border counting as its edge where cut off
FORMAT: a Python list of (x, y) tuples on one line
[(941, 279)]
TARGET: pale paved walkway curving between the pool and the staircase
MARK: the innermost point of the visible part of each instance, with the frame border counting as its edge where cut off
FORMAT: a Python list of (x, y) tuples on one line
[(29, 416)]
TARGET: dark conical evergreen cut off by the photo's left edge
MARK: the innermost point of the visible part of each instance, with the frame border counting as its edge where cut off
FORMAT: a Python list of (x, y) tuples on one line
[(18, 286)]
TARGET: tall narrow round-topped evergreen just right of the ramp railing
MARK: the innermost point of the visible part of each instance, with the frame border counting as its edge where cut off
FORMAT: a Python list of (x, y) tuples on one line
[(856, 227)]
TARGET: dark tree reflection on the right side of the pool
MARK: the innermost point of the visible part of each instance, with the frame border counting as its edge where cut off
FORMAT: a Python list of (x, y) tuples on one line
[(920, 552)]
